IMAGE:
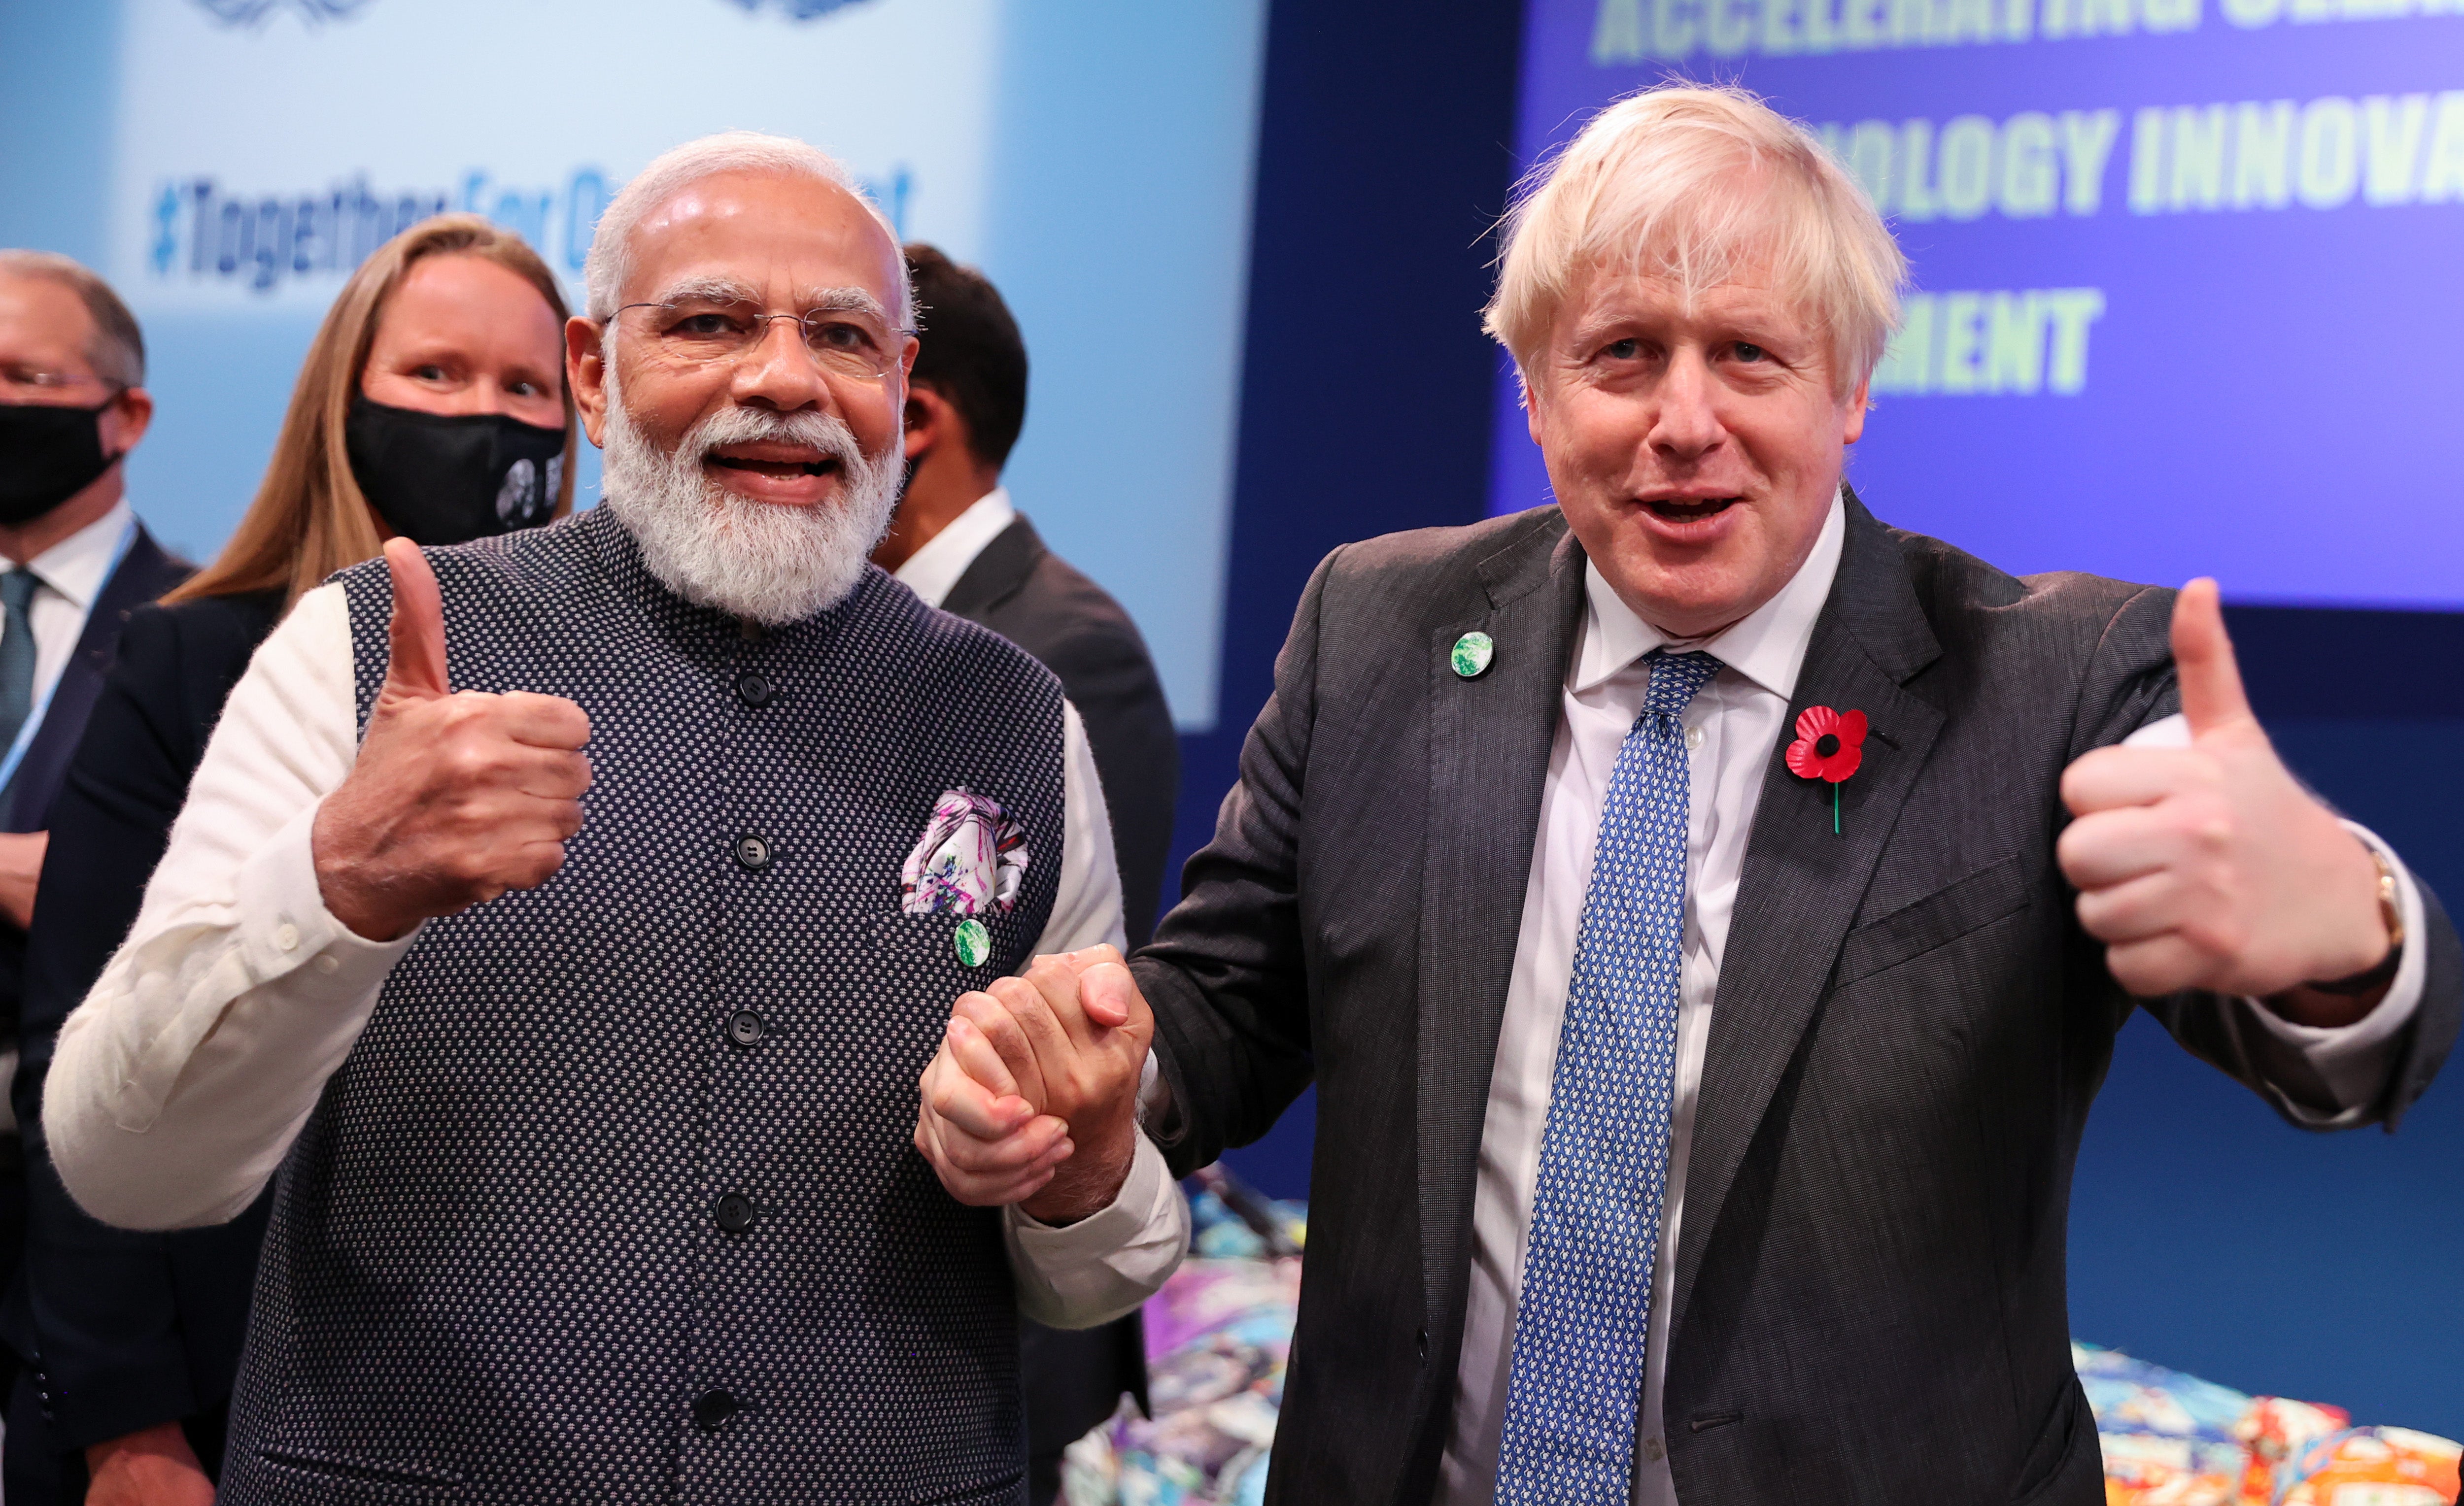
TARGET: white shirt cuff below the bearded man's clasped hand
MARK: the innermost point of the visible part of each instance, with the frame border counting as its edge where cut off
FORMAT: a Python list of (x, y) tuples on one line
[(1108, 1263)]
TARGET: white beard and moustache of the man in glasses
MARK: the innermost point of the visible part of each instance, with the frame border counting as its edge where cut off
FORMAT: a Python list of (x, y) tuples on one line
[(753, 561)]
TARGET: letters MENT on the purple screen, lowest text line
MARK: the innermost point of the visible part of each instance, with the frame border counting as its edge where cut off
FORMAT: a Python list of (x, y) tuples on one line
[(1992, 344)]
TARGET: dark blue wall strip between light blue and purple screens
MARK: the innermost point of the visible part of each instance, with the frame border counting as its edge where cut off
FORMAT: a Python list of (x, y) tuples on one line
[(1386, 154)]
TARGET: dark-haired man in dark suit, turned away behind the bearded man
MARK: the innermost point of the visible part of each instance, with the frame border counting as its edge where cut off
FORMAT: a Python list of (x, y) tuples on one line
[(965, 548)]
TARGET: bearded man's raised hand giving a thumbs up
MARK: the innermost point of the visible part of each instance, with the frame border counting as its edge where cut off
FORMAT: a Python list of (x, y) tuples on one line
[(457, 797)]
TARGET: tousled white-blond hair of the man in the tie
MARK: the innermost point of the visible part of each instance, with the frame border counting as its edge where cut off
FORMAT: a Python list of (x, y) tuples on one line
[(1699, 186)]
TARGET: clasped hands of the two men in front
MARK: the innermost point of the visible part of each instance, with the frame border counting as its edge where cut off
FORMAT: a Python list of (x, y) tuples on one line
[(1034, 1096)]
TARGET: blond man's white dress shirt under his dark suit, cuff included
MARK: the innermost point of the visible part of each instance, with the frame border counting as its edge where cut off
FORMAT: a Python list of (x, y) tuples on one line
[(1731, 731)]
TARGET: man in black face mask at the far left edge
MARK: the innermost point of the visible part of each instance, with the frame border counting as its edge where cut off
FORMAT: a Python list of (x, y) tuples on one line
[(73, 405)]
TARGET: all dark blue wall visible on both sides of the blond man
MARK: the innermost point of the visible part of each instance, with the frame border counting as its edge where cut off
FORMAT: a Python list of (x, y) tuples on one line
[(2207, 1234)]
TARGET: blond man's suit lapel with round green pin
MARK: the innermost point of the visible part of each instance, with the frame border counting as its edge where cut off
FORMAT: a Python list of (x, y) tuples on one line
[(1489, 748)]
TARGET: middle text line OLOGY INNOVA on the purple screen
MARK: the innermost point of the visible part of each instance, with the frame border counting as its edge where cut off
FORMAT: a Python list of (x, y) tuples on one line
[(2263, 154)]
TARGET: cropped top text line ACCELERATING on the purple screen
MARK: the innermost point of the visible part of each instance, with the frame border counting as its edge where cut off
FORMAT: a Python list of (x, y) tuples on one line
[(1635, 31)]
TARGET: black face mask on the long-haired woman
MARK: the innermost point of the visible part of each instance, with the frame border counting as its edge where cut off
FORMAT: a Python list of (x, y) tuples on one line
[(452, 479)]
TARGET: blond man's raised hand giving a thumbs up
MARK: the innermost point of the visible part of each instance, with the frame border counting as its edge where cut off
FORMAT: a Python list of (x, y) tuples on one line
[(2209, 866)]
